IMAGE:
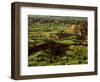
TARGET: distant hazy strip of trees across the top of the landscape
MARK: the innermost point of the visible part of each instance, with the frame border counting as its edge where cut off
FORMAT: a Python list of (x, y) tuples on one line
[(55, 20)]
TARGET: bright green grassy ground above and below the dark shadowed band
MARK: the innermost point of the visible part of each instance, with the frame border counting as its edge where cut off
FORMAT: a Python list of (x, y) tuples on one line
[(39, 33)]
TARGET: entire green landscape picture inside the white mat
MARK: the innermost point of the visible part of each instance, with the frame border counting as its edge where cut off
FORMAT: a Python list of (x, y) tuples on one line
[(56, 40)]
